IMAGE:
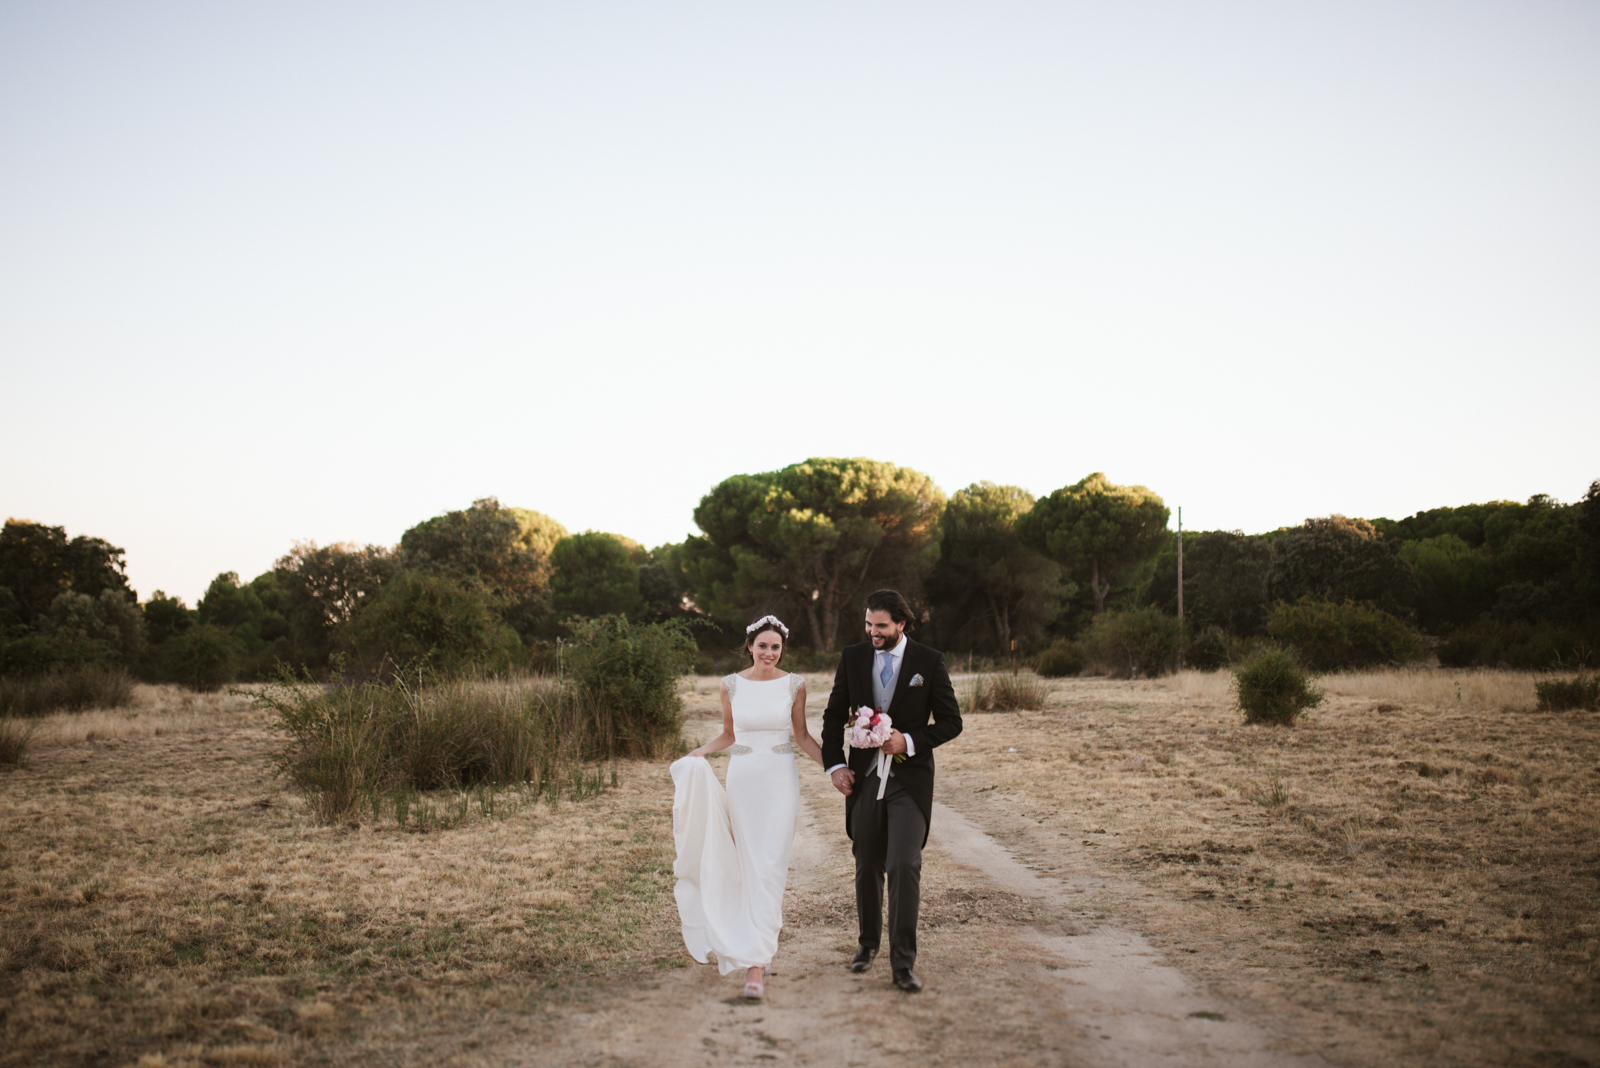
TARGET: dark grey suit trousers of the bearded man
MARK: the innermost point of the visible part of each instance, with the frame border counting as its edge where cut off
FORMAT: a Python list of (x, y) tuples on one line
[(887, 837)]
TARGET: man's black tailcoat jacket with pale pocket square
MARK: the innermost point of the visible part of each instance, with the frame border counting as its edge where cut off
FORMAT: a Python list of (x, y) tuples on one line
[(929, 714)]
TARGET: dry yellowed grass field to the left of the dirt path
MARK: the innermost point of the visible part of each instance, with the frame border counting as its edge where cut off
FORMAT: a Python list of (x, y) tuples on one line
[(166, 901)]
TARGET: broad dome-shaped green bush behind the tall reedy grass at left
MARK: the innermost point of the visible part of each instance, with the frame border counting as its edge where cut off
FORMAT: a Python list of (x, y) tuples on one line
[(434, 623)]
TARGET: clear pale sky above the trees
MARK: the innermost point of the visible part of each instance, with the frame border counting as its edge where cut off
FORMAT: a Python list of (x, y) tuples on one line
[(321, 271)]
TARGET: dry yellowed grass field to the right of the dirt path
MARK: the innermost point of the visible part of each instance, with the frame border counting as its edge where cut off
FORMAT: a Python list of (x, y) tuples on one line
[(1409, 875)]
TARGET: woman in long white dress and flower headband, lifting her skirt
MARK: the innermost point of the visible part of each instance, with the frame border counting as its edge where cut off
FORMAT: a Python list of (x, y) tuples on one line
[(734, 847)]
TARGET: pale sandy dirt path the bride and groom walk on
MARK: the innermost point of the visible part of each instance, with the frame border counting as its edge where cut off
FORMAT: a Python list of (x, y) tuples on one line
[(1017, 974)]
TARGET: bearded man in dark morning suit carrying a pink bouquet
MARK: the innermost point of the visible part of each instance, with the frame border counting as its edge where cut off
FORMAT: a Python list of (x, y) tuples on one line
[(906, 680)]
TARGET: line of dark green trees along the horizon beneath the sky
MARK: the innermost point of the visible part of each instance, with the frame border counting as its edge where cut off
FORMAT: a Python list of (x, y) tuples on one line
[(502, 588)]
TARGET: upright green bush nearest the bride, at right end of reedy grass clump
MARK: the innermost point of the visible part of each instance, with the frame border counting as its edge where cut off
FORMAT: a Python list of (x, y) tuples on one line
[(631, 674)]
